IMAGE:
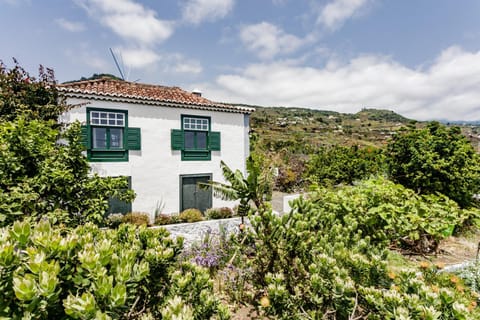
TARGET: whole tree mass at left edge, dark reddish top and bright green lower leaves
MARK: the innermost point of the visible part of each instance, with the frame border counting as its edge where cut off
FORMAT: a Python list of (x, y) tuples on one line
[(43, 171)]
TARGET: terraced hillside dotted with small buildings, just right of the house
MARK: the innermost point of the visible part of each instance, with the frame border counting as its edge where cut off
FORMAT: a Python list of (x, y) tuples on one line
[(277, 127)]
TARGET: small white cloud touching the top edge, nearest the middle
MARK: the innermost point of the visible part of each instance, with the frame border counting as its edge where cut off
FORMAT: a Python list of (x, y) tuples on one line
[(197, 11)]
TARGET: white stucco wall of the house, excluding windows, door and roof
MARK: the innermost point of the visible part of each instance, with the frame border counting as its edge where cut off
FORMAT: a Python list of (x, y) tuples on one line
[(156, 168)]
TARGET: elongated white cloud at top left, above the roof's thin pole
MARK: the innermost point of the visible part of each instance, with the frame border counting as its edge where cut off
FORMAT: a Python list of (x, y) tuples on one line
[(130, 20)]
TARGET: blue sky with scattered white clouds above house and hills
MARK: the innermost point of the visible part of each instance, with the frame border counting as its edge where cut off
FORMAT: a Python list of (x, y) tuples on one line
[(420, 58)]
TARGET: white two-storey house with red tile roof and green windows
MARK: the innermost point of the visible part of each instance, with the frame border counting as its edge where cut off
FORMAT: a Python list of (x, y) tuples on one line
[(164, 138)]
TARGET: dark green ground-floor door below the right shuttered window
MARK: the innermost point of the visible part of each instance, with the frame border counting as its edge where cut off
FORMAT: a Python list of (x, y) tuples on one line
[(192, 196)]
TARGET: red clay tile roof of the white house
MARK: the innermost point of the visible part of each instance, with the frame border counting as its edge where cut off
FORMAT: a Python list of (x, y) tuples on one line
[(107, 87)]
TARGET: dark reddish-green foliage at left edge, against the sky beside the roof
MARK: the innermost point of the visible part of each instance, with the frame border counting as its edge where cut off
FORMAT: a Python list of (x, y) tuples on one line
[(22, 95)]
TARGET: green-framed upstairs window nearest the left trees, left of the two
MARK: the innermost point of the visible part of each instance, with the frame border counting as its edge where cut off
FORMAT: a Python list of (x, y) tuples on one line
[(107, 136)]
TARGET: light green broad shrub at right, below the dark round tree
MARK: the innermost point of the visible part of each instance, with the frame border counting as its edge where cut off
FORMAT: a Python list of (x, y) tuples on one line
[(385, 211)]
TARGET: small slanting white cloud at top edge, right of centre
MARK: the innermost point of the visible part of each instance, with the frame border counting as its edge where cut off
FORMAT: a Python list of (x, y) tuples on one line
[(337, 11)]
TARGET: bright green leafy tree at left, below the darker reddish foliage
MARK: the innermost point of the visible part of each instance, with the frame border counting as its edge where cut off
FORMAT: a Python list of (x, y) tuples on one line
[(41, 177)]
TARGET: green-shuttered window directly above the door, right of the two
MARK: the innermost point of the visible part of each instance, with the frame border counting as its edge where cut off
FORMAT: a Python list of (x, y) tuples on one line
[(195, 139)]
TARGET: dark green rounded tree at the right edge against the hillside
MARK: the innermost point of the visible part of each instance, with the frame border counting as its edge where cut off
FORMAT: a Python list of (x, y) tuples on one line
[(435, 159)]
